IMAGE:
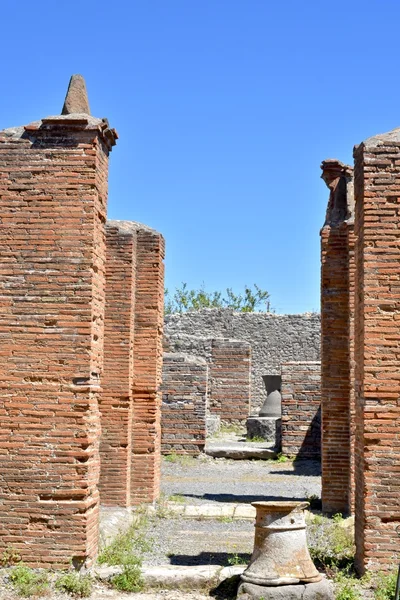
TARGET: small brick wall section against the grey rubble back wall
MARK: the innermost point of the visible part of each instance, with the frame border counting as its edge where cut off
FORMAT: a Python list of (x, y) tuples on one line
[(230, 372)]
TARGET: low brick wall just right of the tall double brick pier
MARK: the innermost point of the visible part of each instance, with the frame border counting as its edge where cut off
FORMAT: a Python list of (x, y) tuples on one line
[(184, 395)]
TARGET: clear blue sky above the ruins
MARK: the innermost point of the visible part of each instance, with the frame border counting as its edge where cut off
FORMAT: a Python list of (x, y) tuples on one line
[(225, 109)]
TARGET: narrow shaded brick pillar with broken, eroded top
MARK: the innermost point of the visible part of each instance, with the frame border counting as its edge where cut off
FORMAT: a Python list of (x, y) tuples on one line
[(336, 330)]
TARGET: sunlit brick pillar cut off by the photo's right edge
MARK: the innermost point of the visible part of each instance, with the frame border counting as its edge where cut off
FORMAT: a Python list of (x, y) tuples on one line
[(377, 342)]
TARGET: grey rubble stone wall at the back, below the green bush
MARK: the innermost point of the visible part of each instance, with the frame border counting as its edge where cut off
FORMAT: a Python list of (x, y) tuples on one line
[(274, 339)]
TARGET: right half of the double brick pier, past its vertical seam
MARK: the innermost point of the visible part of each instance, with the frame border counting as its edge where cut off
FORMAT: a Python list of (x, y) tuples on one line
[(147, 355)]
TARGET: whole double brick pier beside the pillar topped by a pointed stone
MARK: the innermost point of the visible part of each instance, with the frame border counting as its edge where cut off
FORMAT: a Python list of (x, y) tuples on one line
[(131, 400)]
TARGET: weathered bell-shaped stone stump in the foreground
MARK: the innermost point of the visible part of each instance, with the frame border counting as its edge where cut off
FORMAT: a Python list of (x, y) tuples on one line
[(280, 555)]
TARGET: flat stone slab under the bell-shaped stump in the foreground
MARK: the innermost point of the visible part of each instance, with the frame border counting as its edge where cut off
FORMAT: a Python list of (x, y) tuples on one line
[(321, 590)]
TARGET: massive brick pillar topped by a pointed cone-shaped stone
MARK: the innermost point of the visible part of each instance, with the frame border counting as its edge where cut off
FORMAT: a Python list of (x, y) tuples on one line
[(53, 194)]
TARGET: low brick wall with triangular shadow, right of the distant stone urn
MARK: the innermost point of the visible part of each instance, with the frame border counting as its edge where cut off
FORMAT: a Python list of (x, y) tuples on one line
[(301, 409)]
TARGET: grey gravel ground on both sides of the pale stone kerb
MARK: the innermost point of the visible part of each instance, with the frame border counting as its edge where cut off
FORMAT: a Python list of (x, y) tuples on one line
[(223, 541)]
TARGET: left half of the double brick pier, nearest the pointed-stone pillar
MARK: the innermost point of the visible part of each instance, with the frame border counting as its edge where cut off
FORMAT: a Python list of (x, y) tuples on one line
[(116, 399)]
